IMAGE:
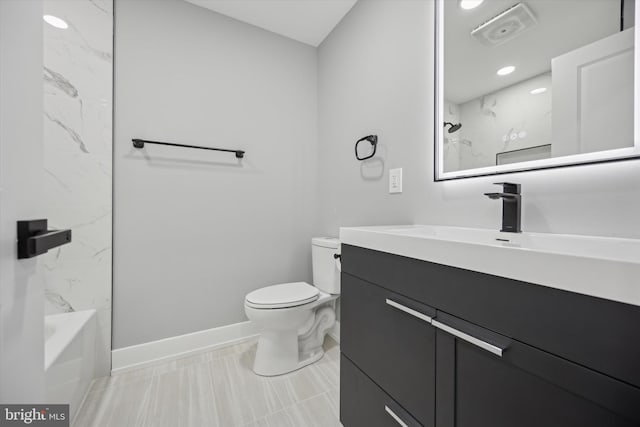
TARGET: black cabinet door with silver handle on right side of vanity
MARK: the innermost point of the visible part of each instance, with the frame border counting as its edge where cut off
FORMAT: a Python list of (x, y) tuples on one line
[(523, 387)]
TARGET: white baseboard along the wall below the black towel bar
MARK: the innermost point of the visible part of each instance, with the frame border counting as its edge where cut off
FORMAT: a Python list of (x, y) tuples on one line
[(150, 353)]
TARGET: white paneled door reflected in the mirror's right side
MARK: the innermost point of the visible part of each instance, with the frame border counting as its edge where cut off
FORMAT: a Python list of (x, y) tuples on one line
[(593, 97)]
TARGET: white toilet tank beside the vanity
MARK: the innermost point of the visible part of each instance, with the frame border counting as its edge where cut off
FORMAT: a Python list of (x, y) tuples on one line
[(326, 275)]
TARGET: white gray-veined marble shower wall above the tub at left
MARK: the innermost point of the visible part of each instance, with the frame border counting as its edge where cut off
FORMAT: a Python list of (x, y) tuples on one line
[(78, 78)]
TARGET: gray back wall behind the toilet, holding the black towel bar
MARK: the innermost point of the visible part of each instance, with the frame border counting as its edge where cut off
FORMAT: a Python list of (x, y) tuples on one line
[(195, 230)]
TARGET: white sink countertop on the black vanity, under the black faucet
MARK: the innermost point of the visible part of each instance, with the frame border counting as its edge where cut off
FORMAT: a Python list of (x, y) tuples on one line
[(598, 266)]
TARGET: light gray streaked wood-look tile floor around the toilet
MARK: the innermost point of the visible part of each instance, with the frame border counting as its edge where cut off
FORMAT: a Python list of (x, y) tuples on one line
[(217, 389)]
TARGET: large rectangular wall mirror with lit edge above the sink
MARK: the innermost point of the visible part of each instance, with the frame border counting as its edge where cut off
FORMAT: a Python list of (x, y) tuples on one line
[(533, 84)]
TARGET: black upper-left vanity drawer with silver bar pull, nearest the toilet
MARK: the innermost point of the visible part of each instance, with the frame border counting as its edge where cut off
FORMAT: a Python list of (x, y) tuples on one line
[(391, 339)]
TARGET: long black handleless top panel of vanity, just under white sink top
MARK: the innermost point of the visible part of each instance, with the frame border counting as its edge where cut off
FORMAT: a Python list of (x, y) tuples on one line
[(596, 333)]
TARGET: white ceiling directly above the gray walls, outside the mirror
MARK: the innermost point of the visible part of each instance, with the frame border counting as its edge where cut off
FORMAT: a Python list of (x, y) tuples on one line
[(307, 21)]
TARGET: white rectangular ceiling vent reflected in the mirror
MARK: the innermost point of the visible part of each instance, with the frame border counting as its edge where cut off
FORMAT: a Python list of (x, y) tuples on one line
[(506, 26)]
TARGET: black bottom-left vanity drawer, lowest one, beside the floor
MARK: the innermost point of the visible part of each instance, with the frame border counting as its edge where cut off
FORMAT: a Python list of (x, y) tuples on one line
[(364, 404)]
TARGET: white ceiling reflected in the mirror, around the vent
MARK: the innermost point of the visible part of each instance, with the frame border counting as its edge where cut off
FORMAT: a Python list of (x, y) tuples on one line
[(563, 25)]
